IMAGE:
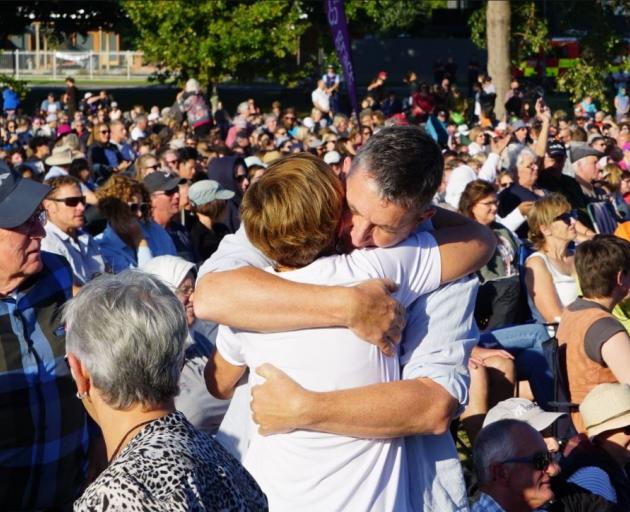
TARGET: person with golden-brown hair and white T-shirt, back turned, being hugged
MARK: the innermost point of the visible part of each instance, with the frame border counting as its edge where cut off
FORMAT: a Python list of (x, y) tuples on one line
[(311, 470)]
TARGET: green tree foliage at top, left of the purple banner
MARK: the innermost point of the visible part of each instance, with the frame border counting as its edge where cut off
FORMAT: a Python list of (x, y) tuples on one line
[(212, 41)]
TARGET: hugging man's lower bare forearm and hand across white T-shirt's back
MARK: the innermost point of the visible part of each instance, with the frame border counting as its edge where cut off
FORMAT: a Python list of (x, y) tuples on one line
[(391, 409)]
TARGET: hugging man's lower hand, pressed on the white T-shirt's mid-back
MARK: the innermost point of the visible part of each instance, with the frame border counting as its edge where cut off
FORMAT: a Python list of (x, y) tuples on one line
[(279, 405)]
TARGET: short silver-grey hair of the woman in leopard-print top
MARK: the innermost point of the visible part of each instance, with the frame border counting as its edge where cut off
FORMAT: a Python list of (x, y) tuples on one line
[(128, 329)]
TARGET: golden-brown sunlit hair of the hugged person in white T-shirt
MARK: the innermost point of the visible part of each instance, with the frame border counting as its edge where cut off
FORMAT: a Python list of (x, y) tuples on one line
[(292, 213)]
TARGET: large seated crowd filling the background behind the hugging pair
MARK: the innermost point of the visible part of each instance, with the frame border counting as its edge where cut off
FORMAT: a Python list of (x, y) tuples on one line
[(158, 189)]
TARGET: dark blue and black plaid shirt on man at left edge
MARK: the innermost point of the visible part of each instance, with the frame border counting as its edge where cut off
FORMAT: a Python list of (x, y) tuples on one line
[(43, 430)]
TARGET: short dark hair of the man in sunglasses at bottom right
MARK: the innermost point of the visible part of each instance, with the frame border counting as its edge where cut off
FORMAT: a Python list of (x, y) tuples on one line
[(495, 444)]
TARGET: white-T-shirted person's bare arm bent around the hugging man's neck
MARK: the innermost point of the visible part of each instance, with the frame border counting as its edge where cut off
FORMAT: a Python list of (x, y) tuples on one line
[(465, 245)]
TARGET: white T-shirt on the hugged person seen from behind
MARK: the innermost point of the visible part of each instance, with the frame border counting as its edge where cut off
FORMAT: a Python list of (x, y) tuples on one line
[(306, 470)]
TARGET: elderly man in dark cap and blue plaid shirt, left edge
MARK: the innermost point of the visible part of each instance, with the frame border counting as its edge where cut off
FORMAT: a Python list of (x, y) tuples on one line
[(43, 430)]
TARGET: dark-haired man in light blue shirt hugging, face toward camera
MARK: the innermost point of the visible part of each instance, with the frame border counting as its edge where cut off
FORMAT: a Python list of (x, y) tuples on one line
[(386, 189)]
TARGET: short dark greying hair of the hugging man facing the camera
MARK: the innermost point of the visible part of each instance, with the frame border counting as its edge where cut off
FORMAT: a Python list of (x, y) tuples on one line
[(406, 164)]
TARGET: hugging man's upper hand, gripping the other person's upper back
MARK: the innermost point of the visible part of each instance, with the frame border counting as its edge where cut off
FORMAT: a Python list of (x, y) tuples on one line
[(374, 315)]
